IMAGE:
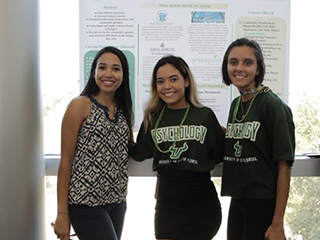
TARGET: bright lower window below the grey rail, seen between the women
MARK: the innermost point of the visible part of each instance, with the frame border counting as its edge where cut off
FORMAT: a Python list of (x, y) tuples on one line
[(302, 219)]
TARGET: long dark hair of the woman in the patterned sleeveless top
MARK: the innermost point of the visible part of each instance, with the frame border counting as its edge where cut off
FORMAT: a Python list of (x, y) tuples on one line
[(123, 94)]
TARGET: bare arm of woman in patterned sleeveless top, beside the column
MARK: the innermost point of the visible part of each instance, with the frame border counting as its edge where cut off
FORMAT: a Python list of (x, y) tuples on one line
[(74, 117)]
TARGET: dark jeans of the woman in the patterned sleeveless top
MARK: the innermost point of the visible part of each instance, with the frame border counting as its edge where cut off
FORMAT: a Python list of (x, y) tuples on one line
[(98, 223)]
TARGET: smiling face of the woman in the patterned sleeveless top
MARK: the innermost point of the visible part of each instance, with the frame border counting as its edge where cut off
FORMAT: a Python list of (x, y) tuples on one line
[(108, 73)]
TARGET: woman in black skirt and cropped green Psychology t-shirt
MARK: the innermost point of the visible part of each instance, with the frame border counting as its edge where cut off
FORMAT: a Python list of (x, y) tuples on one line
[(185, 141)]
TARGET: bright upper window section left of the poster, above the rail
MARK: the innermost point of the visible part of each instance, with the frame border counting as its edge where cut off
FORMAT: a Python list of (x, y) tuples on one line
[(59, 65)]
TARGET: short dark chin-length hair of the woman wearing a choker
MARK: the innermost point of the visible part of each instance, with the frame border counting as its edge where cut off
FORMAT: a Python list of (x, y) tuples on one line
[(257, 52)]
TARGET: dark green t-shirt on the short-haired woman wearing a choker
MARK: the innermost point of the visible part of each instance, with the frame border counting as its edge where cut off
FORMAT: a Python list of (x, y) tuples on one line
[(254, 146)]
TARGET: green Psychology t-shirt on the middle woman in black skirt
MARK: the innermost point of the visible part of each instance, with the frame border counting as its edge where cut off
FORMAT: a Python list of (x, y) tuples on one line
[(198, 148)]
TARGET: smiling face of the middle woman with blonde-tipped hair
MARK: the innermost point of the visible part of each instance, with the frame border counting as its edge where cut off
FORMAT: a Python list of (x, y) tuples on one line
[(171, 86)]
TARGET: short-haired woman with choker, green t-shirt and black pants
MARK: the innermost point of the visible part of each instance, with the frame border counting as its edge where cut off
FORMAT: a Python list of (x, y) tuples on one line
[(259, 148)]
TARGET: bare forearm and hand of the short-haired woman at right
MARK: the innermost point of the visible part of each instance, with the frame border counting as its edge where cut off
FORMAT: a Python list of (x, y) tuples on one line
[(276, 230)]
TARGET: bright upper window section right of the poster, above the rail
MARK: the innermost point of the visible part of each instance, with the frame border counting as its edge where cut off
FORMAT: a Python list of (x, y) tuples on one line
[(304, 97)]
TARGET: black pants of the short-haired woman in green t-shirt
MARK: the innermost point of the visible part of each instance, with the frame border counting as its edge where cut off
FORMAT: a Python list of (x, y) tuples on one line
[(250, 218)]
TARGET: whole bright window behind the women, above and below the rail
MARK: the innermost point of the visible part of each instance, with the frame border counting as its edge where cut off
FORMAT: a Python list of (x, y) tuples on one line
[(60, 83)]
